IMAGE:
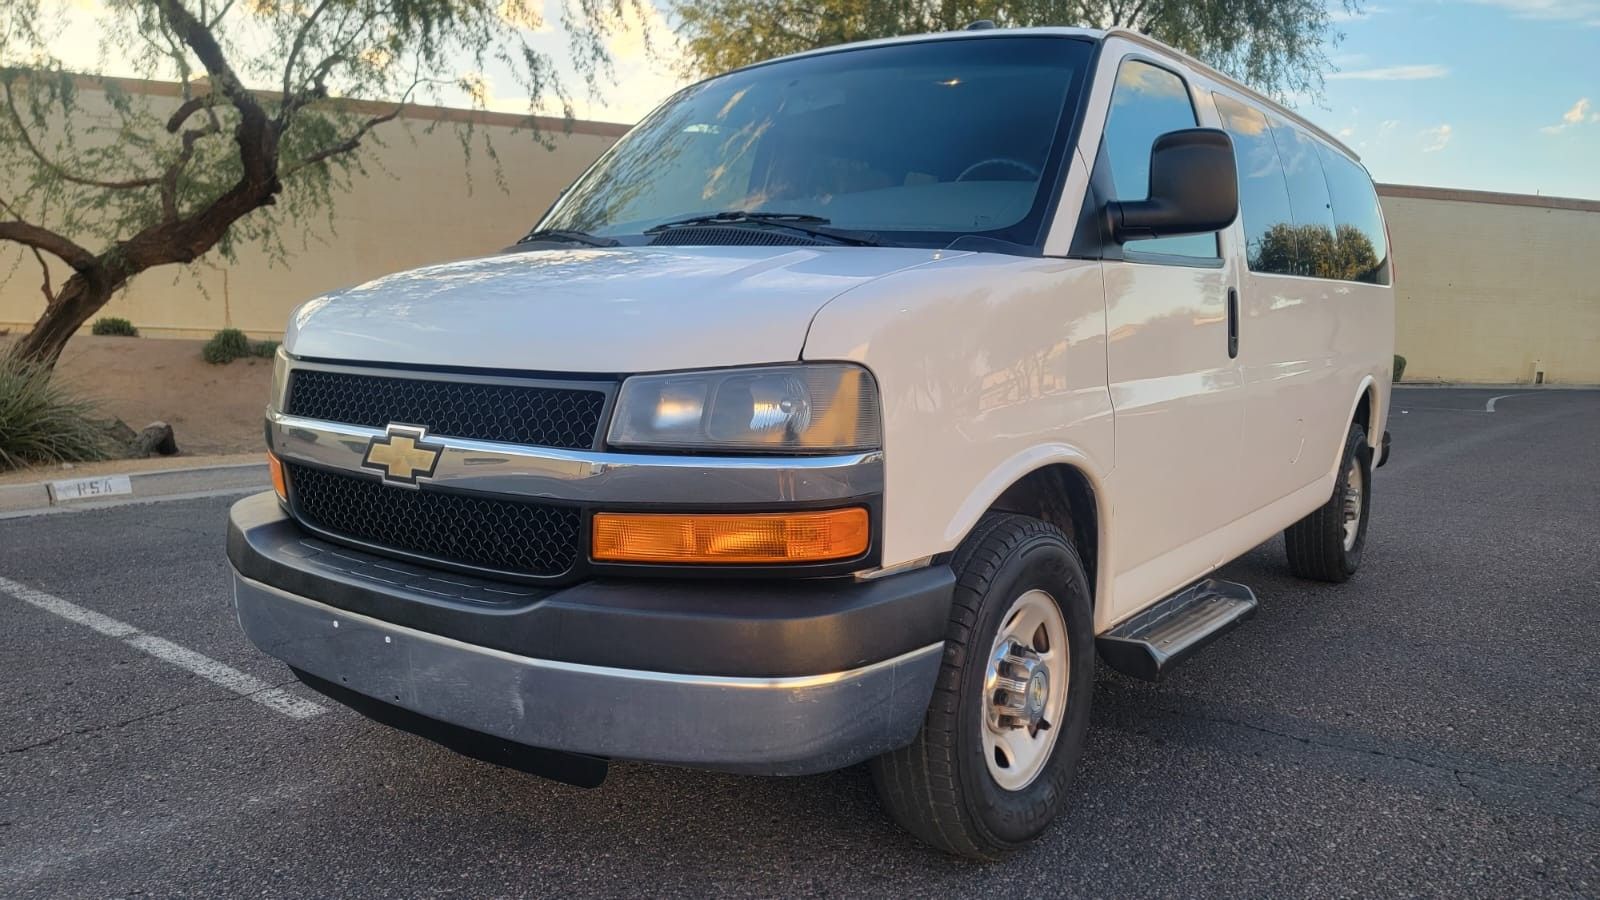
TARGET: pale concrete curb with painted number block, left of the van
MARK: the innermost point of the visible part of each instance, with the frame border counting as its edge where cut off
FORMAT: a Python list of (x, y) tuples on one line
[(98, 491)]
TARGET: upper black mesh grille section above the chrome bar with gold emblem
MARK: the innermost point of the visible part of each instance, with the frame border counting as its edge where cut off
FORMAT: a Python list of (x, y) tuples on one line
[(518, 414)]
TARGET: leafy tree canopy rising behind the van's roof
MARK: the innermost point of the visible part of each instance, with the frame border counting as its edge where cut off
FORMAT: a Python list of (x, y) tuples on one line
[(1276, 46)]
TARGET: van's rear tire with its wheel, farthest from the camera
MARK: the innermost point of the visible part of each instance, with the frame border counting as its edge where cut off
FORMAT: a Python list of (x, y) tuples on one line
[(1329, 544)]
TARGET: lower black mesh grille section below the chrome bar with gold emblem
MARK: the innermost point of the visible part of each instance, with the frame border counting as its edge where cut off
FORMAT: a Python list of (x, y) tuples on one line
[(524, 539)]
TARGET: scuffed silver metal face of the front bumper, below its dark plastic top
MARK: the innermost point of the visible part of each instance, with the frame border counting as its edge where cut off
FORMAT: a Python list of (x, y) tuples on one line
[(778, 726)]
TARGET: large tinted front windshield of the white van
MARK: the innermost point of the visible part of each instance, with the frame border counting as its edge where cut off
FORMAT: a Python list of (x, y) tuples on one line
[(919, 143)]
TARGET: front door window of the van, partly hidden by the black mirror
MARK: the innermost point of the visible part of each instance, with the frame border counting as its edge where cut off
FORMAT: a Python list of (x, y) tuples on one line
[(1146, 103)]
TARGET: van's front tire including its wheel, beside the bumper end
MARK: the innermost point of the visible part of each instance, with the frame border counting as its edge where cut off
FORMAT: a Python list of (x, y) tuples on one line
[(1004, 733)]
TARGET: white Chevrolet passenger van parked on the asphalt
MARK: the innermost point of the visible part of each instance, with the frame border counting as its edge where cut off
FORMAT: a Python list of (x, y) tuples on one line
[(841, 412)]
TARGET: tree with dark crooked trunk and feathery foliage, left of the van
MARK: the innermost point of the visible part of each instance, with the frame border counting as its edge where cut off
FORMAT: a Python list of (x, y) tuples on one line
[(278, 100)]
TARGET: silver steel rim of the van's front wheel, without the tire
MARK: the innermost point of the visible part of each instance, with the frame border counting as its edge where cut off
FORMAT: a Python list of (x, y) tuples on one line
[(1025, 691)]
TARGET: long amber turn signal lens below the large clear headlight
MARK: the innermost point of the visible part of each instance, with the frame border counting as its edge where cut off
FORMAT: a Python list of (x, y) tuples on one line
[(758, 539)]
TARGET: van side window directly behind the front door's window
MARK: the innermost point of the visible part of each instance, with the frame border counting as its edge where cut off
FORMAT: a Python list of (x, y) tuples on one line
[(1263, 191)]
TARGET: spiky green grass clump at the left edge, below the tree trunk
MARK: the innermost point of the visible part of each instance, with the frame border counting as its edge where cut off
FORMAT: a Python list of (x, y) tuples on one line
[(44, 424)]
